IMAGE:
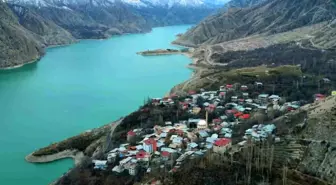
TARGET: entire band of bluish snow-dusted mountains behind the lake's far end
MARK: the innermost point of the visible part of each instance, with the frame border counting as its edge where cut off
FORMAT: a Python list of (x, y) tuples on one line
[(101, 19)]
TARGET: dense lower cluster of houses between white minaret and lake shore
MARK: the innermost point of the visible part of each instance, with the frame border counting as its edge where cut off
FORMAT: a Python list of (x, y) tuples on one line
[(168, 147)]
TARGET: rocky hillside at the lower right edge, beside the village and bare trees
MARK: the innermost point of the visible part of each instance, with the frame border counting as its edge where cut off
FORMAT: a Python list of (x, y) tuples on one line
[(315, 130)]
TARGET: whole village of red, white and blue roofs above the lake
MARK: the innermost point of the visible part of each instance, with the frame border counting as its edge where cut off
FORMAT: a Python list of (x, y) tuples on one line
[(170, 145)]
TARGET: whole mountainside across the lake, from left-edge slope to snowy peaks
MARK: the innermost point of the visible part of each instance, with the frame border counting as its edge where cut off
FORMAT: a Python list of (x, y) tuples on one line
[(44, 23)]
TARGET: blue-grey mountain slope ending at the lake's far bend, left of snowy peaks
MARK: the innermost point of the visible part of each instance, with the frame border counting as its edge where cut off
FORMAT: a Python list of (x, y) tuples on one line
[(88, 19)]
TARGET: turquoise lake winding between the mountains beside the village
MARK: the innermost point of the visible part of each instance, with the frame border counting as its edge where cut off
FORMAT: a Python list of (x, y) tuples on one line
[(76, 88)]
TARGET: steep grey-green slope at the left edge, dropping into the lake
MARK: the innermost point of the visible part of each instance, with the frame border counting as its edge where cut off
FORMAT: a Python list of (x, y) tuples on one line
[(17, 45)]
